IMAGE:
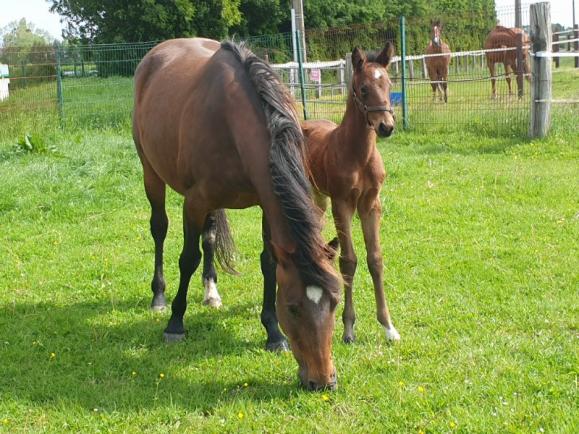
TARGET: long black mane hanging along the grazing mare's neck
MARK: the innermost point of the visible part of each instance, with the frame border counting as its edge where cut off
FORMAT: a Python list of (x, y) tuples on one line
[(287, 165)]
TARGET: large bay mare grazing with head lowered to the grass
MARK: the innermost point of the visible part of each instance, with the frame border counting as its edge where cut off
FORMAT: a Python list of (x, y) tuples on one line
[(214, 123)]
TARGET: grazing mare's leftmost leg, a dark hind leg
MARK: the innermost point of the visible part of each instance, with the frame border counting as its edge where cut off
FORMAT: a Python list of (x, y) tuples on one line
[(155, 189)]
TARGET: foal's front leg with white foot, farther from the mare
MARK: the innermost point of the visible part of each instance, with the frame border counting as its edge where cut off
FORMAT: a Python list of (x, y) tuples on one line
[(370, 210)]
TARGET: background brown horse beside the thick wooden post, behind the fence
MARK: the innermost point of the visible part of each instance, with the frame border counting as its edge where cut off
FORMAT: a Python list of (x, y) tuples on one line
[(503, 37)]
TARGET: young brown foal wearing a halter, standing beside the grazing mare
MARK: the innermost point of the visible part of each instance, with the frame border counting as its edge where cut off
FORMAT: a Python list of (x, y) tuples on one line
[(347, 167)]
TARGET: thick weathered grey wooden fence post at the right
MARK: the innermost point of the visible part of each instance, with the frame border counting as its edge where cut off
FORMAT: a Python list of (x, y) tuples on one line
[(540, 33)]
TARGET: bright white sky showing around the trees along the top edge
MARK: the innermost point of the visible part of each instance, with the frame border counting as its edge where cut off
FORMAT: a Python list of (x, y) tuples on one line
[(37, 12)]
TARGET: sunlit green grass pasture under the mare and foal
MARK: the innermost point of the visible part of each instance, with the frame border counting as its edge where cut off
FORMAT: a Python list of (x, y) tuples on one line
[(480, 238)]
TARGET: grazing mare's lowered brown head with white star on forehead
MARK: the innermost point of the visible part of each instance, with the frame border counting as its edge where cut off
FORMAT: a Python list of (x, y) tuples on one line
[(305, 306)]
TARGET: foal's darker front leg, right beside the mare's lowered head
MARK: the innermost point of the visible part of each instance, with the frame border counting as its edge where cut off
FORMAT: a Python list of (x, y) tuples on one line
[(343, 211)]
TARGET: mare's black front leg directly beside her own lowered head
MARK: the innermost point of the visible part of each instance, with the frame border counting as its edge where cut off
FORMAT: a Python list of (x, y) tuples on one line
[(275, 339)]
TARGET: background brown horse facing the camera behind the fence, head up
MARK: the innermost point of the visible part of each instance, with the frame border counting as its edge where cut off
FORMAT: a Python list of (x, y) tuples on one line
[(437, 66)]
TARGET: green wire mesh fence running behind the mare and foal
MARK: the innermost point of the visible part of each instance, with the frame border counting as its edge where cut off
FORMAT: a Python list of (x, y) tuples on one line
[(91, 85)]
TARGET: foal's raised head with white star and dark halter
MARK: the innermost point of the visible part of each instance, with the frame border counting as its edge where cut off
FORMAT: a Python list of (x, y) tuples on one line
[(371, 89)]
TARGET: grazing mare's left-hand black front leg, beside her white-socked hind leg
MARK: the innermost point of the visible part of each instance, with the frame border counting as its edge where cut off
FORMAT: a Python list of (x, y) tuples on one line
[(188, 263)]
